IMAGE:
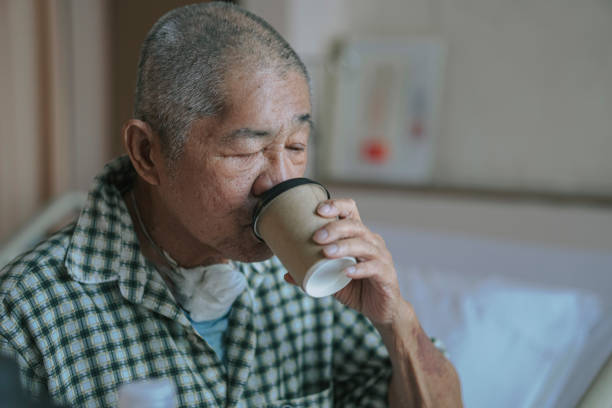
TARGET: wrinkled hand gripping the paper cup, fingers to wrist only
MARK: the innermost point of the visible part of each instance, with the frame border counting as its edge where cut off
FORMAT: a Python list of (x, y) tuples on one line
[(374, 290)]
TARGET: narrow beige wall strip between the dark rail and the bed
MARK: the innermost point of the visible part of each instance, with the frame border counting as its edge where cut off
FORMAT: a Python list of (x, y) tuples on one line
[(530, 222)]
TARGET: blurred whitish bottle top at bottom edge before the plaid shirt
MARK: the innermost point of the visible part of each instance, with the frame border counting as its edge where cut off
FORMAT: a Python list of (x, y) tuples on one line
[(157, 393)]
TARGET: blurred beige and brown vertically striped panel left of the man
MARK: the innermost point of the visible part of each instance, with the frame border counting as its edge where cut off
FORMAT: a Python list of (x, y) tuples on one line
[(54, 102)]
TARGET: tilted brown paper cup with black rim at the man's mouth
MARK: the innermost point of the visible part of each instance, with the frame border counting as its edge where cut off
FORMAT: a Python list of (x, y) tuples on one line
[(285, 219)]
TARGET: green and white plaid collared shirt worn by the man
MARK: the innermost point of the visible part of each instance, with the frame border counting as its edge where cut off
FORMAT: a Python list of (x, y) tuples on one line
[(85, 312)]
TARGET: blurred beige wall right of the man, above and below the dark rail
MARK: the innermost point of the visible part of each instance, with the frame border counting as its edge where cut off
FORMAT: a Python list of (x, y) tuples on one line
[(527, 105)]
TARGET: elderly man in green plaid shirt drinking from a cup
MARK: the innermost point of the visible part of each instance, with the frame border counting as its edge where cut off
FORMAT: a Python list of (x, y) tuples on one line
[(161, 276)]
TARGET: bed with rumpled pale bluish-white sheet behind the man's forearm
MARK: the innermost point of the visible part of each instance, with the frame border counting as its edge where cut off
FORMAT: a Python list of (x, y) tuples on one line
[(526, 325)]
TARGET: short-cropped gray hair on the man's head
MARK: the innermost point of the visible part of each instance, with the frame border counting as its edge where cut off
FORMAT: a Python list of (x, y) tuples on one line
[(184, 61)]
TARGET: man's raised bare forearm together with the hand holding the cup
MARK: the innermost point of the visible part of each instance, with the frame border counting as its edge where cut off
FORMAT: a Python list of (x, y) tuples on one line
[(421, 375)]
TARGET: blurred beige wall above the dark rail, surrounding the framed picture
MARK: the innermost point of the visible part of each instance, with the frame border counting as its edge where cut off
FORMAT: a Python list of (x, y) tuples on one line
[(528, 90)]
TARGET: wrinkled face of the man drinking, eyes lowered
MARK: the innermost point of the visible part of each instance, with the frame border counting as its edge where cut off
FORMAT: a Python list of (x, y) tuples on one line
[(258, 141)]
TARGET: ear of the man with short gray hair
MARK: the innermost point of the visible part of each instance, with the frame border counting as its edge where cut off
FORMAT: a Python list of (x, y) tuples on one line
[(144, 148)]
